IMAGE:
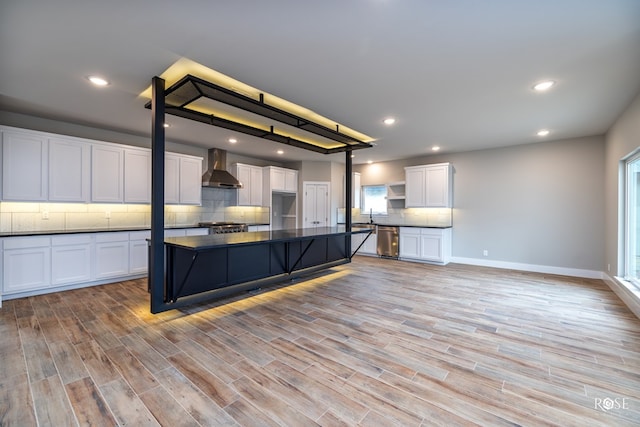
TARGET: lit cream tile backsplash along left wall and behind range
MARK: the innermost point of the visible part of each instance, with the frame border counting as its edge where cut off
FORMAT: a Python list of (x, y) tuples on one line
[(217, 205)]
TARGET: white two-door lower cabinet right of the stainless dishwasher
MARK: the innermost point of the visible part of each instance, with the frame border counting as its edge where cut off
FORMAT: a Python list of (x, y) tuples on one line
[(425, 244)]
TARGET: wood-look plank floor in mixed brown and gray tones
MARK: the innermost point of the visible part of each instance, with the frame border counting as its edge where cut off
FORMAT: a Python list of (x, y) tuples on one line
[(374, 342)]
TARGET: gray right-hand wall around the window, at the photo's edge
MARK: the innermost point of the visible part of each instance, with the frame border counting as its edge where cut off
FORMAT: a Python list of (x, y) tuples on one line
[(622, 139)]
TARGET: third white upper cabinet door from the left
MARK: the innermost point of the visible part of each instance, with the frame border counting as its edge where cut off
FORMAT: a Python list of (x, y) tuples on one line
[(107, 174)]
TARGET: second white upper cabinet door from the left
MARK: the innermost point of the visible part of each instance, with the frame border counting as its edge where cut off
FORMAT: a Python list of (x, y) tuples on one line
[(69, 170)]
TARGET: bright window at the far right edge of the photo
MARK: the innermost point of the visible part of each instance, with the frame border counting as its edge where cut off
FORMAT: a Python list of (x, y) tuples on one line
[(632, 219)]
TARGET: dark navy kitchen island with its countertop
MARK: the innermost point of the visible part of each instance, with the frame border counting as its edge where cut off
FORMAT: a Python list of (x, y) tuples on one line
[(200, 268)]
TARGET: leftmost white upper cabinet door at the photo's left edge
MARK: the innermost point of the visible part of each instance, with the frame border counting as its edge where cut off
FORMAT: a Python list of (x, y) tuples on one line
[(24, 166)]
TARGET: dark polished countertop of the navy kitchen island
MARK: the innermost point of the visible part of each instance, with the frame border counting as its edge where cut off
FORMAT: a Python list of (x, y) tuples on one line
[(232, 239)]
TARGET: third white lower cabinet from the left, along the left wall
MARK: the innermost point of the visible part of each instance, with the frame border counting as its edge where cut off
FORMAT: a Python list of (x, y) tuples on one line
[(112, 255)]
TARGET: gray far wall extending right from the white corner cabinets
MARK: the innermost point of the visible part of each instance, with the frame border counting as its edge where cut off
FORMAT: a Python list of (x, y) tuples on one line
[(539, 204)]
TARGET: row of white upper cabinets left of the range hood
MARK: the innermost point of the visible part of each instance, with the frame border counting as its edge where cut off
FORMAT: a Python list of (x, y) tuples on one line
[(39, 166)]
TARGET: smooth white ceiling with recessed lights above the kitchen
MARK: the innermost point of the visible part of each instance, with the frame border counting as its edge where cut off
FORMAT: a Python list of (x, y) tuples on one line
[(454, 73)]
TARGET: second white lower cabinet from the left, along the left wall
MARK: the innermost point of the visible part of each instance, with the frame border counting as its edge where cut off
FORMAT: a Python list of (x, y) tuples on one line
[(71, 259)]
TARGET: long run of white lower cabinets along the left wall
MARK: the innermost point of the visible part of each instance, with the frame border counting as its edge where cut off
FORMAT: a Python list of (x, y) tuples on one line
[(33, 265)]
